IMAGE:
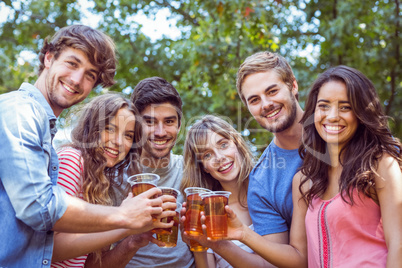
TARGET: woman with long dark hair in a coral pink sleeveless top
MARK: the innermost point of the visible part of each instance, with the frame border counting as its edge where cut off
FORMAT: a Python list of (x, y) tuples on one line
[(347, 196)]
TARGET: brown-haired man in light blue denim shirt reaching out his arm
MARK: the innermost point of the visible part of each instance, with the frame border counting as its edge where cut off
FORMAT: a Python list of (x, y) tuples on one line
[(75, 60)]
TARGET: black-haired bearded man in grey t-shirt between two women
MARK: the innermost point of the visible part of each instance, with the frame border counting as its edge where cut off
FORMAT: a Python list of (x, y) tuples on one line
[(160, 107)]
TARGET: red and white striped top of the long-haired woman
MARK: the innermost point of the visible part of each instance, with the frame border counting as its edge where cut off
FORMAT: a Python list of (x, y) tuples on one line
[(70, 169)]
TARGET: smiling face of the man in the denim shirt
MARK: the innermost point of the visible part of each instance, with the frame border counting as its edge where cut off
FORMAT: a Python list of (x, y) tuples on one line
[(68, 79)]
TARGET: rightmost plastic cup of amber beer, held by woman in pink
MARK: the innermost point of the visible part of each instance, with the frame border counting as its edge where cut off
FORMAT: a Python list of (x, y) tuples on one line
[(216, 218)]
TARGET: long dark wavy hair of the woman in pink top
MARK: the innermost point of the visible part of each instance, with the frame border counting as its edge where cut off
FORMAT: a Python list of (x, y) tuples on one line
[(362, 153)]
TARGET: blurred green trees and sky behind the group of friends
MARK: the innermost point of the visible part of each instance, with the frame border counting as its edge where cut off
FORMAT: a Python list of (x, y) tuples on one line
[(198, 46)]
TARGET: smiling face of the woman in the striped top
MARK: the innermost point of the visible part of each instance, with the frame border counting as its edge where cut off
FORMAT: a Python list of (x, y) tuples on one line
[(117, 137)]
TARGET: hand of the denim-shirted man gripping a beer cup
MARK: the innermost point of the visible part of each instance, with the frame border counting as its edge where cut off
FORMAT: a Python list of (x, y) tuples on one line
[(138, 212)]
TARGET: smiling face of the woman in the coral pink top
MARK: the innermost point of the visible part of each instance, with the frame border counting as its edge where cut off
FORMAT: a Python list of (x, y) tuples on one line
[(334, 119)]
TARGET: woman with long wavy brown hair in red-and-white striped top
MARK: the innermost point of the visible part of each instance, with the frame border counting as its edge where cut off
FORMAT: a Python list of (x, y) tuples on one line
[(104, 143)]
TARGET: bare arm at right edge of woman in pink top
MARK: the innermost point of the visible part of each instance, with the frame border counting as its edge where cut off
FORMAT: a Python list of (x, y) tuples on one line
[(389, 189)]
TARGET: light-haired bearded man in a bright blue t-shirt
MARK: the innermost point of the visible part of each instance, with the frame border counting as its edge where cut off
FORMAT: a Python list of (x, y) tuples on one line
[(267, 86)]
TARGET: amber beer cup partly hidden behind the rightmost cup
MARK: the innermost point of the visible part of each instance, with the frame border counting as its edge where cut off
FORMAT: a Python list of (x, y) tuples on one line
[(192, 225)]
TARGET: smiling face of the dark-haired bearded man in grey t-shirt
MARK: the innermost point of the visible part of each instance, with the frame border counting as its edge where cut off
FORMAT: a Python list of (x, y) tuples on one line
[(161, 128)]
